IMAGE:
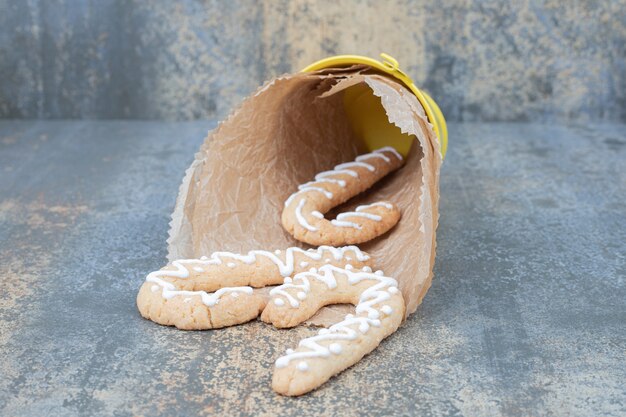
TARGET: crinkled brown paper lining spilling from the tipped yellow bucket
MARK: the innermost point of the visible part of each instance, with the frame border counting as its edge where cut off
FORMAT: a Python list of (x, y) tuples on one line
[(292, 128)]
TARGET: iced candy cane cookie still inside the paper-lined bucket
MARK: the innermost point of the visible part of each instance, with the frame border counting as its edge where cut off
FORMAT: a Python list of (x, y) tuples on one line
[(303, 215)]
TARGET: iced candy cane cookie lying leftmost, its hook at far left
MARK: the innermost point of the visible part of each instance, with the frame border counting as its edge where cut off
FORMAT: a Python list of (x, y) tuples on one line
[(213, 292)]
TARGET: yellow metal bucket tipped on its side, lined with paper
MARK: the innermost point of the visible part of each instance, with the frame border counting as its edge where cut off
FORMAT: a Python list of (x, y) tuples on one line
[(365, 112)]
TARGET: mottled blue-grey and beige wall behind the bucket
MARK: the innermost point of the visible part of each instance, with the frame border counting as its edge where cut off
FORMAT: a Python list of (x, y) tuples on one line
[(528, 60)]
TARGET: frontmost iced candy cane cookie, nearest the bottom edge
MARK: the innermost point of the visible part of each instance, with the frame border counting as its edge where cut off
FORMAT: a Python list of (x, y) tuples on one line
[(379, 312)]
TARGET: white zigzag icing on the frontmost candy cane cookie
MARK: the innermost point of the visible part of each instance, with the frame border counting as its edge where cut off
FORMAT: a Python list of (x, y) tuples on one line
[(369, 298)]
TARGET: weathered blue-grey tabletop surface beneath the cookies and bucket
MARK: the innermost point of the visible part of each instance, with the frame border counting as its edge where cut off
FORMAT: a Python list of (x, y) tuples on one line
[(526, 314)]
